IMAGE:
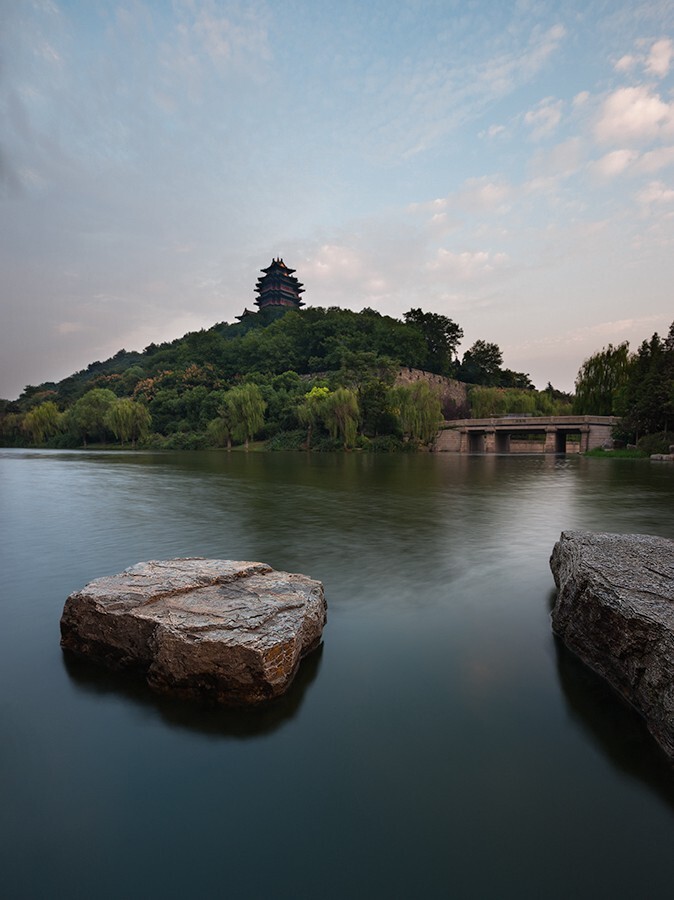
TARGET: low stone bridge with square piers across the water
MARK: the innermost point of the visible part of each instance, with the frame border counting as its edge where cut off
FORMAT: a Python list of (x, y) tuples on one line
[(525, 434)]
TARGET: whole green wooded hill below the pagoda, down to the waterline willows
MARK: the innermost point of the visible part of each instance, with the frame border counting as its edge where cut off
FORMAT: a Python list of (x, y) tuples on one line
[(319, 378)]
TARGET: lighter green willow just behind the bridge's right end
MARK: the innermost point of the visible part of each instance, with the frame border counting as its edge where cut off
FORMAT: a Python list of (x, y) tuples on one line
[(600, 380)]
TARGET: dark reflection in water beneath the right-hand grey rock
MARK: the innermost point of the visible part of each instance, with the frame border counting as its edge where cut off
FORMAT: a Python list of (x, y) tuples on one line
[(617, 729)]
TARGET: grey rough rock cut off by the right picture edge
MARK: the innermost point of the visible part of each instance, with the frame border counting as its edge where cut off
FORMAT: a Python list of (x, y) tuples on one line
[(615, 610)]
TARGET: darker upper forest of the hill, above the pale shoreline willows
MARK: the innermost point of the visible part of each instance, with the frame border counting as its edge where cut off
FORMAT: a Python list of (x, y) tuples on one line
[(306, 341)]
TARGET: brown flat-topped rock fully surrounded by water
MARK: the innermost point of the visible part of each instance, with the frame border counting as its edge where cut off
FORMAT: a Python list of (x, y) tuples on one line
[(219, 630)]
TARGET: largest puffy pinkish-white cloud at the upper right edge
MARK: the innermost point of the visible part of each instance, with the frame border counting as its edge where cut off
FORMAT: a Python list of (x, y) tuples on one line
[(634, 114)]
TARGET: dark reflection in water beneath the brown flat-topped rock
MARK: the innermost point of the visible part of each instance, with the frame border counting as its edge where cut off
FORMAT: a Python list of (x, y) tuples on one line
[(208, 720)]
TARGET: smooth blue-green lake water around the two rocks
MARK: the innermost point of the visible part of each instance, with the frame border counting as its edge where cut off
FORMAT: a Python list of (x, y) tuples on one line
[(440, 745)]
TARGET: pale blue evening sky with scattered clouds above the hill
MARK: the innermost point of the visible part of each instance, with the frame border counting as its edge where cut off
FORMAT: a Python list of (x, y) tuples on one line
[(507, 164)]
